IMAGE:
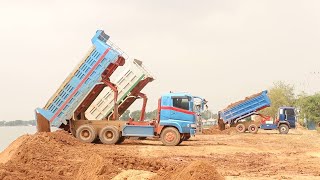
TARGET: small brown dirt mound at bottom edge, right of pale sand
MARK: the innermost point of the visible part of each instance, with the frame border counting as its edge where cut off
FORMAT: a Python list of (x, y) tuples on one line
[(194, 171)]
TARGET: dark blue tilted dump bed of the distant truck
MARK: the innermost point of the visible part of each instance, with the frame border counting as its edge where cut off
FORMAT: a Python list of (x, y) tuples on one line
[(244, 108)]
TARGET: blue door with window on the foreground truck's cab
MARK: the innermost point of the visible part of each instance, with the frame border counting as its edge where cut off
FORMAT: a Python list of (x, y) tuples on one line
[(182, 109)]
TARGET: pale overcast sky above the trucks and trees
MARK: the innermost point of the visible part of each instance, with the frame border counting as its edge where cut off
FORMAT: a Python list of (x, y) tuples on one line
[(220, 50)]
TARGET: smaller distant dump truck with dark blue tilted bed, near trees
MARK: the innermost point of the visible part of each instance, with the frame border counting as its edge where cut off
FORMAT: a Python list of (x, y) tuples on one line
[(235, 114)]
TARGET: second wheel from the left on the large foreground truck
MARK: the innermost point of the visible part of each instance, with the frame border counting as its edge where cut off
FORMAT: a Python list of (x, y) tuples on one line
[(109, 135)]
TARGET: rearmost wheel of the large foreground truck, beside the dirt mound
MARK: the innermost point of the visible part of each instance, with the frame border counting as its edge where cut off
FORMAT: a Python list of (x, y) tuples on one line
[(86, 133)]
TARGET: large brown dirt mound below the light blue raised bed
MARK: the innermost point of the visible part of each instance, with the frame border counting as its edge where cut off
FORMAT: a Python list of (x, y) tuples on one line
[(58, 155)]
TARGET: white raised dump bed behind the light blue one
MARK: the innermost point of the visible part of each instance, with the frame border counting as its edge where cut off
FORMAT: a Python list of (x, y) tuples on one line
[(129, 82)]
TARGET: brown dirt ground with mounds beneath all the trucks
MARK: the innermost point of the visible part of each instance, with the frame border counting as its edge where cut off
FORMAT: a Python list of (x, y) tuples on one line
[(266, 155)]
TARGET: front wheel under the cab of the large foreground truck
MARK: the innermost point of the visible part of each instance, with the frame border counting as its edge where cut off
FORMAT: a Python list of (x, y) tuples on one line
[(170, 136)]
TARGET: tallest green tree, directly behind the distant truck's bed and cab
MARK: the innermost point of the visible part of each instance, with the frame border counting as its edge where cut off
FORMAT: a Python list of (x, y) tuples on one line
[(281, 94)]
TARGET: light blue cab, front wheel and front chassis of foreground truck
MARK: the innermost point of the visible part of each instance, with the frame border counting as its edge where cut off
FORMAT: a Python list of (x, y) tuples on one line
[(177, 115)]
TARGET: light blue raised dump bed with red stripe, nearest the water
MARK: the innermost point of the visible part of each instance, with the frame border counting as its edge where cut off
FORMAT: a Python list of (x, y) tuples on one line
[(73, 90)]
